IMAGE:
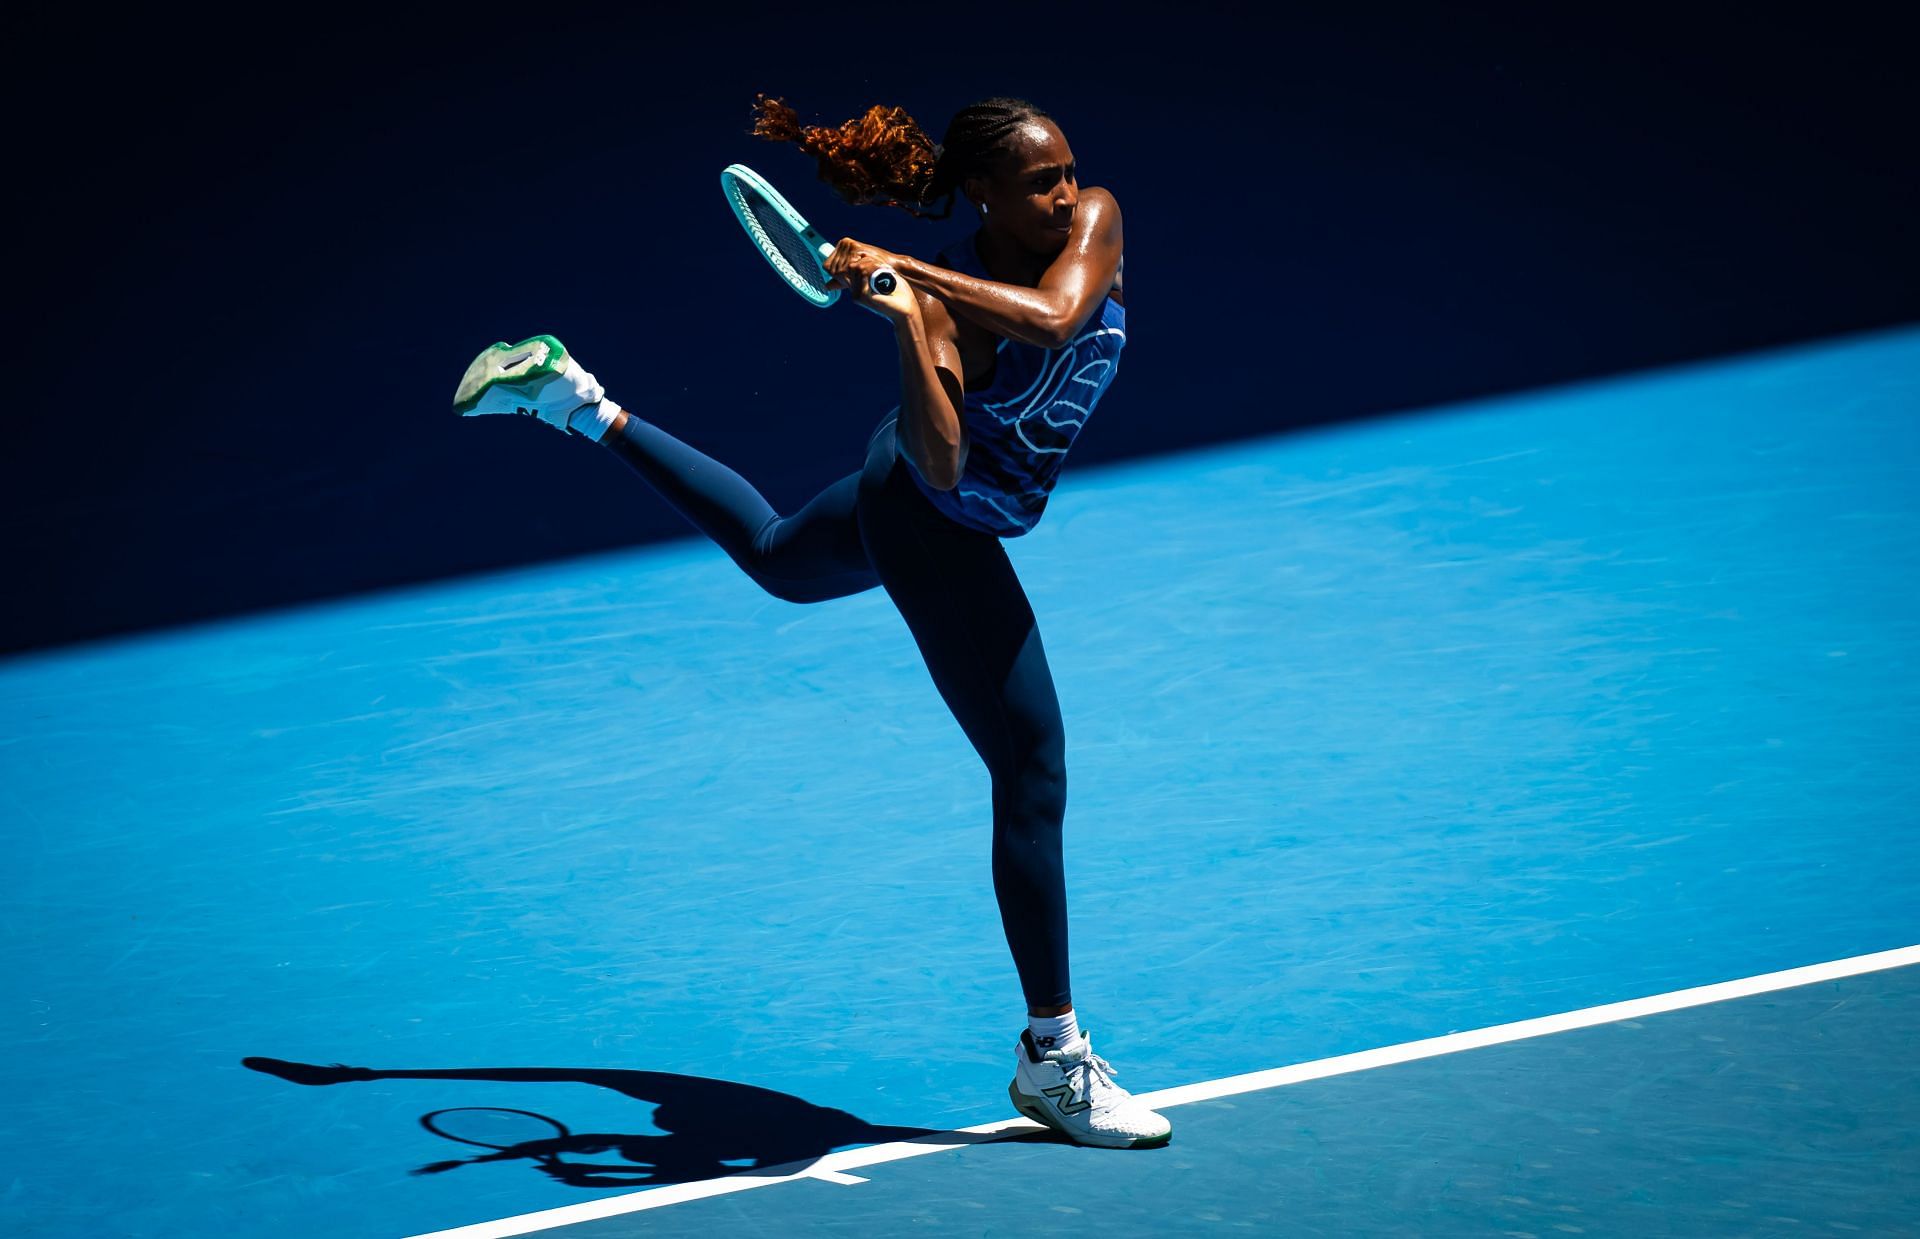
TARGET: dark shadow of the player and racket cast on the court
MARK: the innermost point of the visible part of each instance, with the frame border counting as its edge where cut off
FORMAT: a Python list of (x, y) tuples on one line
[(709, 1129)]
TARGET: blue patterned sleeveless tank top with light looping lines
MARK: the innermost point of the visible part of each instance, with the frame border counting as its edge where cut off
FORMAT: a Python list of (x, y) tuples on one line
[(1022, 425)]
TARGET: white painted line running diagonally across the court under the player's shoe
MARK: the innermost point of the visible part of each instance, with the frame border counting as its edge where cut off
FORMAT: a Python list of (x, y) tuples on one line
[(834, 1167)]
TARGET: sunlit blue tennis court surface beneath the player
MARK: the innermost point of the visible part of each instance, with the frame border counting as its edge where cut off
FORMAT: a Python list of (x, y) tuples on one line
[(1376, 735)]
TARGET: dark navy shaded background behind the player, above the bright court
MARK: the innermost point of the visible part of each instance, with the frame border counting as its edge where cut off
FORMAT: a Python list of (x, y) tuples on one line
[(256, 258)]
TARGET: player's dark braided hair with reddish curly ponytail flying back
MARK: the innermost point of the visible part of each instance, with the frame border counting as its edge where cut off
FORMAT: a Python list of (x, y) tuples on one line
[(884, 158)]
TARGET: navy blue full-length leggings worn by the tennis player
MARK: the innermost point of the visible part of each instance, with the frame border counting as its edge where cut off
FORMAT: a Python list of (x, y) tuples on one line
[(961, 600)]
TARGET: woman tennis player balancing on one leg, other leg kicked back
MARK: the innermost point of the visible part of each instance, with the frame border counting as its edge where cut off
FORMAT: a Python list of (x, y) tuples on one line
[(1007, 343)]
